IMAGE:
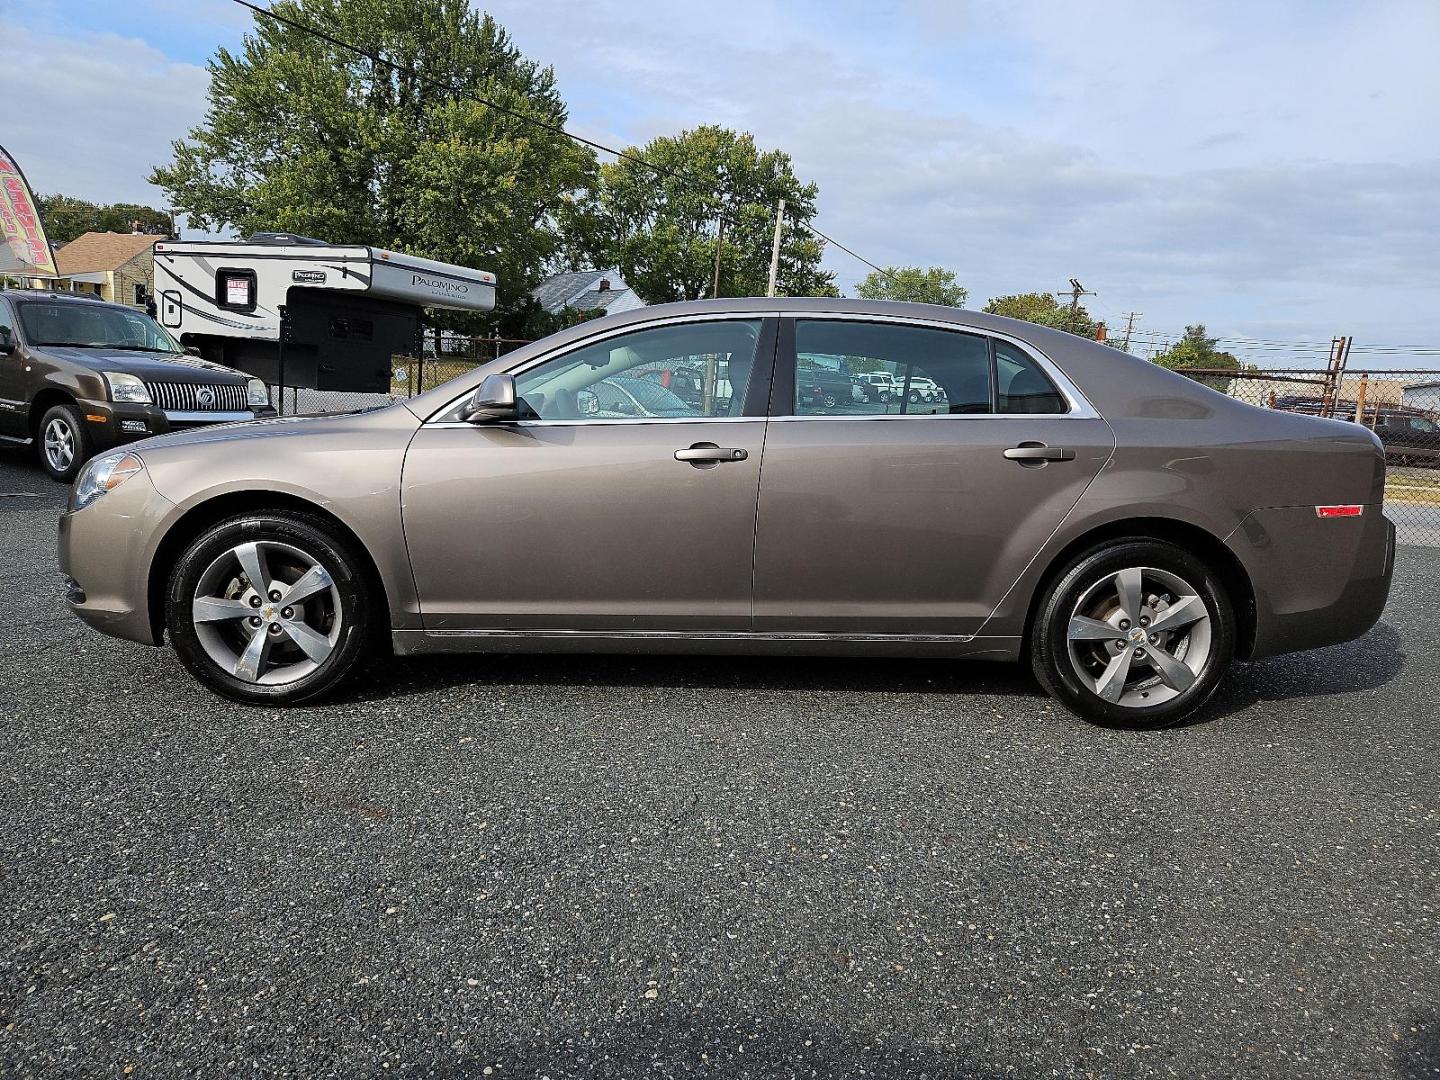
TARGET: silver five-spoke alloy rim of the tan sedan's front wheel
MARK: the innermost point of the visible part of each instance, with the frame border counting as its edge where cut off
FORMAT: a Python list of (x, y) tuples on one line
[(267, 613)]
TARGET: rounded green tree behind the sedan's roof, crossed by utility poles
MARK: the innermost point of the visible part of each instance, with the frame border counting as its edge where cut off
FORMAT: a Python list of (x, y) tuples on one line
[(659, 230)]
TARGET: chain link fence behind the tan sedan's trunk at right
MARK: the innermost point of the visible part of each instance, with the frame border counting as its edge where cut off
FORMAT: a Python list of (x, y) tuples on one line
[(1403, 408)]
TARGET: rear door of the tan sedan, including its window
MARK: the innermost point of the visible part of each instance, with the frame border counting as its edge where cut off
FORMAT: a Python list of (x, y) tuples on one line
[(914, 519)]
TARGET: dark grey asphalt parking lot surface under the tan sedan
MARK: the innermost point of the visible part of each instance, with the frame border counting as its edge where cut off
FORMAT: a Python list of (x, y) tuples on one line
[(528, 868)]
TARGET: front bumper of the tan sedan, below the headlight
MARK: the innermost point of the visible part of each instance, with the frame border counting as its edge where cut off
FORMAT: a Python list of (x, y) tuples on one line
[(104, 554)]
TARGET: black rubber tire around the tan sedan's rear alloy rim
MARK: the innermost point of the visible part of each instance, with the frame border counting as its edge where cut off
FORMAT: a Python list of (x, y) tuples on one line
[(1050, 644)]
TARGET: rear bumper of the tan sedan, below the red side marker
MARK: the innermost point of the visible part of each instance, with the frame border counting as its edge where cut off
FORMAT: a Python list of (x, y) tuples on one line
[(1317, 582)]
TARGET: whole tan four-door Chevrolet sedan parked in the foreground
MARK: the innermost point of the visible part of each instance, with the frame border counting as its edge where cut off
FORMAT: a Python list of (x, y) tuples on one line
[(688, 479)]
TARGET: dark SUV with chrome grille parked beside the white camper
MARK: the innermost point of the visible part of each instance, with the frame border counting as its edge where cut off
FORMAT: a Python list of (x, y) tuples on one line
[(80, 377)]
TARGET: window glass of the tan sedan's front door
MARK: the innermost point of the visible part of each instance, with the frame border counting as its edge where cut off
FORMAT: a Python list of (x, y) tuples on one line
[(686, 371)]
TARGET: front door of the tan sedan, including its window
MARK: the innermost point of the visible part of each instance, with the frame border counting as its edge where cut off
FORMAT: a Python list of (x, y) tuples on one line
[(578, 519)]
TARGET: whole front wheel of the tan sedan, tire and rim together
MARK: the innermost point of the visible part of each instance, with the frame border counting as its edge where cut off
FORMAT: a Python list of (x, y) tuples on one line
[(270, 608)]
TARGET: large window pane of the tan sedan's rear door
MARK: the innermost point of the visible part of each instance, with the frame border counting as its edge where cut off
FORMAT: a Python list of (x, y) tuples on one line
[(850, 368)]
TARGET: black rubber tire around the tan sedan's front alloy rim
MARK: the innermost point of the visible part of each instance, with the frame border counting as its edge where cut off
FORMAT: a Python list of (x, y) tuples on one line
[(315, 538)]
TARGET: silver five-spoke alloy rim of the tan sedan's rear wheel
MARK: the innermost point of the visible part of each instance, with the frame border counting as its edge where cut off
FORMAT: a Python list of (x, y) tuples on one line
[(1140, 637)]
